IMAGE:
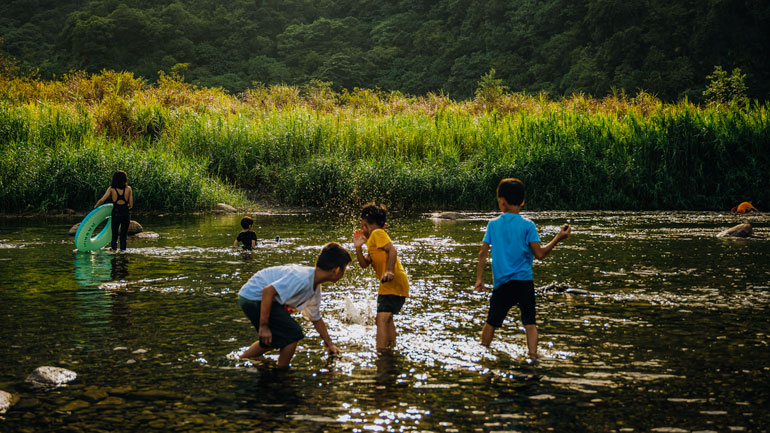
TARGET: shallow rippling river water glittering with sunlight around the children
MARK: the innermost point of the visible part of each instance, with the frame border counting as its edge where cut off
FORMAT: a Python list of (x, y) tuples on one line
[(671, 337)]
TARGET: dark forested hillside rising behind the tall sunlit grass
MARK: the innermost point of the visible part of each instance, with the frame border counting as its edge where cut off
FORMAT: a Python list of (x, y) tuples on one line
[(415, 46)]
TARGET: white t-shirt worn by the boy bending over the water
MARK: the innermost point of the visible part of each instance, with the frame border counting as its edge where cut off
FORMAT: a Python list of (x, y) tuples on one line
[(293, 287)]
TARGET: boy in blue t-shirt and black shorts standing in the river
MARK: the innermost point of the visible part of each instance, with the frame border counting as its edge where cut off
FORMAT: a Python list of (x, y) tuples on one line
[(514, 242)]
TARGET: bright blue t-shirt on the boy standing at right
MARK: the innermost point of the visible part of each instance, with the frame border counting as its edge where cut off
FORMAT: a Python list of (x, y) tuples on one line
[(509, 235)]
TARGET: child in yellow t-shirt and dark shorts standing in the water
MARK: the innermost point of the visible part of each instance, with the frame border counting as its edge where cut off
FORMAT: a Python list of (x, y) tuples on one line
[(382, 254)]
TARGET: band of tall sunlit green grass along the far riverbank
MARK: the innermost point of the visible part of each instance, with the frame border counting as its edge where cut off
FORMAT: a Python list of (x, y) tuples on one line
[(186, 148)]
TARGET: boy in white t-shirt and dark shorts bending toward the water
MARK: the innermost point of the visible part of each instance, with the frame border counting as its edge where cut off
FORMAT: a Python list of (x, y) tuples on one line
[(265, 298)]
